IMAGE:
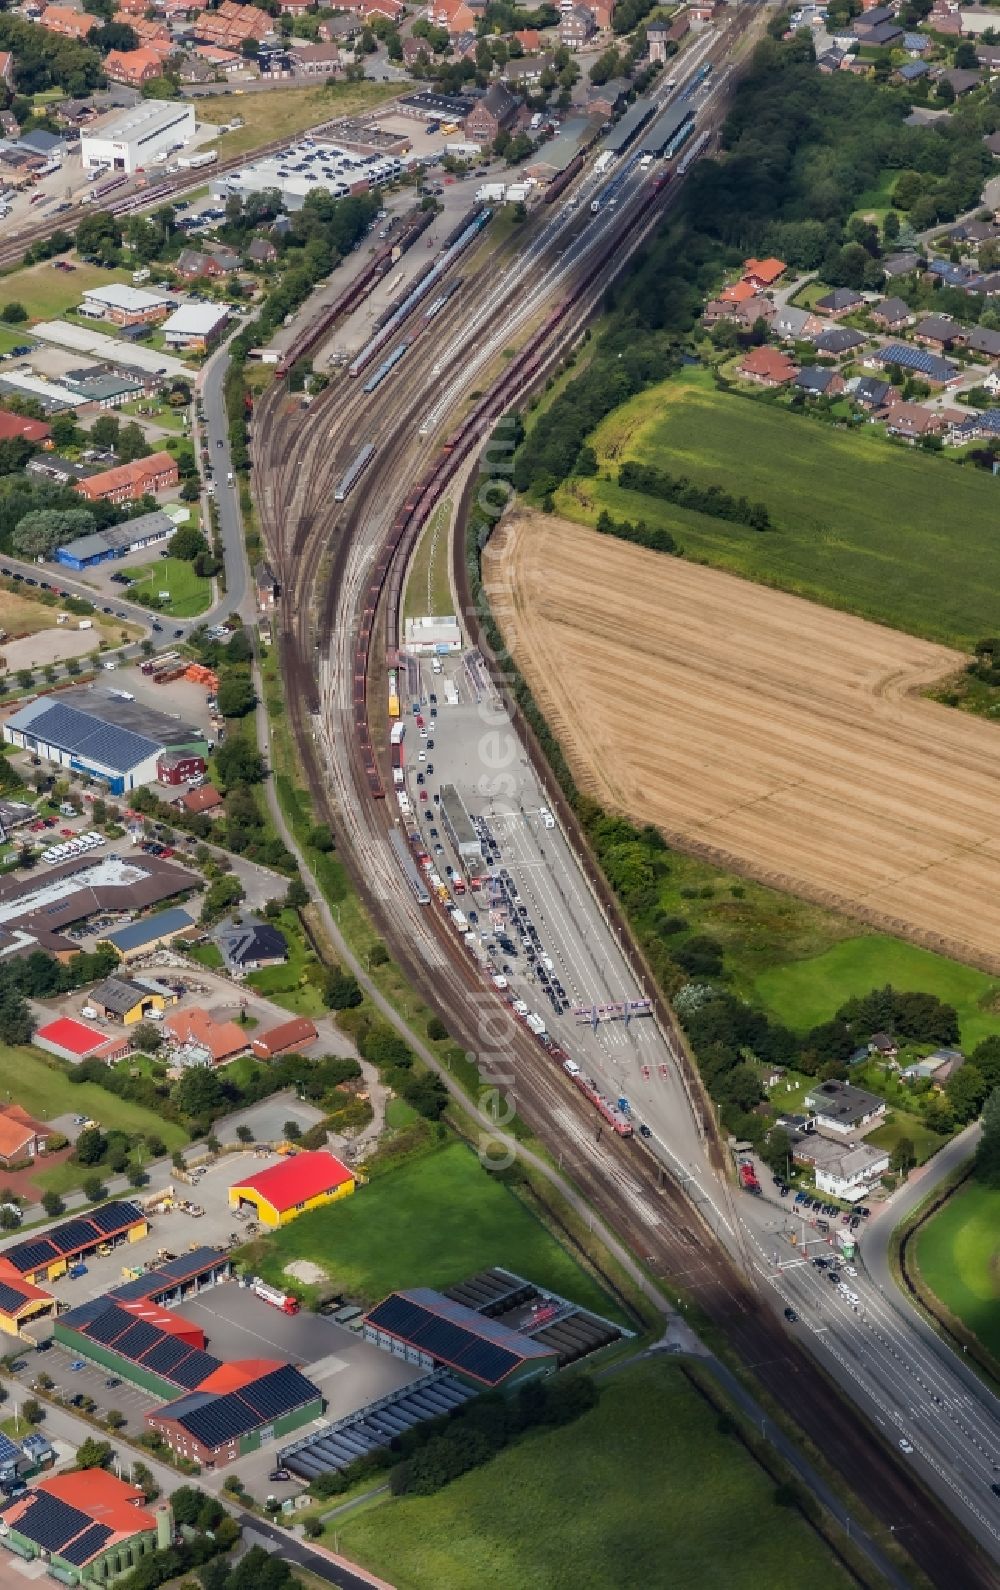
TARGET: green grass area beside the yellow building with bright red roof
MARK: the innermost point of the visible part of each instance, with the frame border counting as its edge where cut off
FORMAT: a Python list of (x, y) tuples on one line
[(430, 1224)]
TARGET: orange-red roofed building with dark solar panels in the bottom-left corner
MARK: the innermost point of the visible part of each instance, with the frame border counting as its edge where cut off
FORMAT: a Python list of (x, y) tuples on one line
[(87, 1526)]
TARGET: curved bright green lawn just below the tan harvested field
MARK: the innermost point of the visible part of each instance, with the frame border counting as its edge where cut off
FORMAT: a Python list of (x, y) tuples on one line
[(805, 993)]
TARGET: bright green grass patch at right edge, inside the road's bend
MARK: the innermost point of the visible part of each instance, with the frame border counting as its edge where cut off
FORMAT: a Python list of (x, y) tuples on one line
[(959, 1260)]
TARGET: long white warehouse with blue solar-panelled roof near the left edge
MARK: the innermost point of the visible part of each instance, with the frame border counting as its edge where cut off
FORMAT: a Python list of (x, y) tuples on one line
[(101, 735)]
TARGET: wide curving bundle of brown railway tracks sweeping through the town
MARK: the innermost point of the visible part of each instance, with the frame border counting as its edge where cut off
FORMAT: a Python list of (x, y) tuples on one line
[(341, 570)]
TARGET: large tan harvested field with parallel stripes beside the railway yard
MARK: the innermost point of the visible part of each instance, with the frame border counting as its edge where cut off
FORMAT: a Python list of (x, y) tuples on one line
[(761, 731)]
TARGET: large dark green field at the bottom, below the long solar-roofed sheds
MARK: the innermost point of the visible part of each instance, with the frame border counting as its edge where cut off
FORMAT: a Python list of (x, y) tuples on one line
[(643, 1491)]
